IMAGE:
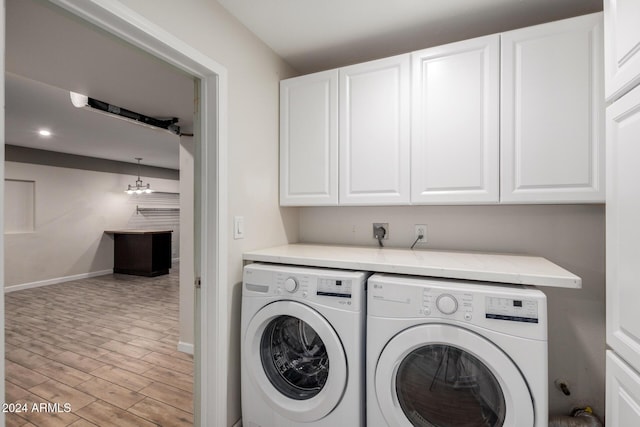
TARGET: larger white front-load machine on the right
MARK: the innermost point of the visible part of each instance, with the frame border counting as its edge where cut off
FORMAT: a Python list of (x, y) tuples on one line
[(451, 353)]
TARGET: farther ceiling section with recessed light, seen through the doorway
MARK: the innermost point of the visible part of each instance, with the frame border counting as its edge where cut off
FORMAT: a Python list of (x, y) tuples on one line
[(31, 106)]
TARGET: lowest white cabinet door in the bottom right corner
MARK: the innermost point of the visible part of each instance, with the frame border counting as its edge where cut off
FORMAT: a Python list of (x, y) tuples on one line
[(622, 393)]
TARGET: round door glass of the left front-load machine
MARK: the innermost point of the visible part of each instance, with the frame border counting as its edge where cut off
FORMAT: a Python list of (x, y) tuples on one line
[(294, 357)]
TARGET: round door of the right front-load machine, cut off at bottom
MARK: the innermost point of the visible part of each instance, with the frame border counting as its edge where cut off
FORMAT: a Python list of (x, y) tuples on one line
[(439, 375)]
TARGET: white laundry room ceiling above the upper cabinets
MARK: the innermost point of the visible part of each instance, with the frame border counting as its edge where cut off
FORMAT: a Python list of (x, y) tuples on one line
[(319, 35)]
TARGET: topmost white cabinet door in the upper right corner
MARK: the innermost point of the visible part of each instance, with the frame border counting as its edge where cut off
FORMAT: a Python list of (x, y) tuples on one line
[(622, 50)]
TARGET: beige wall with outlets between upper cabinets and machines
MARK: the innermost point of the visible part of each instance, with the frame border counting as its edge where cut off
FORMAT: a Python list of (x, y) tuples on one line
[(571, 236)]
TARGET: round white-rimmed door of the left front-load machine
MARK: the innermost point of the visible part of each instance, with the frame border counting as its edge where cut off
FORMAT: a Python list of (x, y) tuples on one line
[(296, 360)]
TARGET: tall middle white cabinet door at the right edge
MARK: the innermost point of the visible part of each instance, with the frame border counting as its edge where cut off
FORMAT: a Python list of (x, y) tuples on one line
[(623, 227)]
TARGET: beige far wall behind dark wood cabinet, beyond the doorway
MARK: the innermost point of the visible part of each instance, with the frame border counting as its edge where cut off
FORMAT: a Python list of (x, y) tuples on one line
[(73, 208)]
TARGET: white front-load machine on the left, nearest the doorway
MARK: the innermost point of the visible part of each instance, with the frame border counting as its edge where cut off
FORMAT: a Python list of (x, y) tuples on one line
[(302, 347)]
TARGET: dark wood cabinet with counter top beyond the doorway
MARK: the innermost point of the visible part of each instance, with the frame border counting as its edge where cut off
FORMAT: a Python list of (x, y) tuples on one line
[(142, 252)]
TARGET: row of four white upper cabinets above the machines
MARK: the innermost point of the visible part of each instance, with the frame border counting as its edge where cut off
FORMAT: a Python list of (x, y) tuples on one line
[(511, 118)]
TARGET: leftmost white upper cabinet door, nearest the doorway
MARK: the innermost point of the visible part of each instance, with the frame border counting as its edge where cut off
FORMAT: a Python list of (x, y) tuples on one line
[(309, 140)]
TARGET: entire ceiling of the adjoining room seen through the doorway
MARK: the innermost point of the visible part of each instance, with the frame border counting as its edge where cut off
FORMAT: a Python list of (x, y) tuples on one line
[(49, 53)]
